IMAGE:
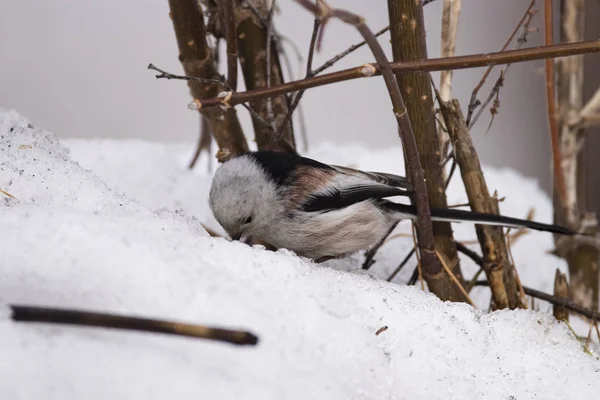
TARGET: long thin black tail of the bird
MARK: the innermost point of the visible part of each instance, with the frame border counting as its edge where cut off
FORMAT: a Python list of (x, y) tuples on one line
[(454, 215)]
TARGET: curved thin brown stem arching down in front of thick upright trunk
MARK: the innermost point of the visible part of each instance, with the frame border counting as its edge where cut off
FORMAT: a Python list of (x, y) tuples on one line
[(430, 262)]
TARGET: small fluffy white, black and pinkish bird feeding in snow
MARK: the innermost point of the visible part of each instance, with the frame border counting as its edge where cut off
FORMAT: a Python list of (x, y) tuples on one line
[(321, 211)]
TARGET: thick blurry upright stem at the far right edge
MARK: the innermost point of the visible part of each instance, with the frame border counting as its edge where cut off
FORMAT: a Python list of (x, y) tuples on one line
[(581, 255)]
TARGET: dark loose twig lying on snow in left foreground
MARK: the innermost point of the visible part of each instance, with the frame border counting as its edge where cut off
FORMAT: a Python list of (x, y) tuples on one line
[(104, 320)]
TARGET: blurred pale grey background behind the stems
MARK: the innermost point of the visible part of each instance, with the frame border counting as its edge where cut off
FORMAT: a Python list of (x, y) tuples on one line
[(78, 68)]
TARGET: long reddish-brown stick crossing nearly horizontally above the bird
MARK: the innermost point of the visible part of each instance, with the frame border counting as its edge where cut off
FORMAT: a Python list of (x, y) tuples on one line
[(434, 64)]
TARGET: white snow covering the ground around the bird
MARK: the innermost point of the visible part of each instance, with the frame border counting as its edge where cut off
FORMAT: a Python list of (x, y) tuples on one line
[(116, 226)]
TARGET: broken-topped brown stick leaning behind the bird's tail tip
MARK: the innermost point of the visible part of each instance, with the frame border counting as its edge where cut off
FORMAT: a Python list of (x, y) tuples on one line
[(497, 267)]
